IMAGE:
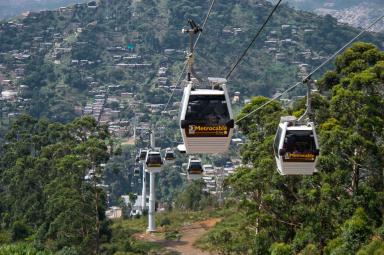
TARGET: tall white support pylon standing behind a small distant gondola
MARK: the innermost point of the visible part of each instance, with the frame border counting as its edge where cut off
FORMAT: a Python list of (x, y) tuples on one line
[(152, 194)]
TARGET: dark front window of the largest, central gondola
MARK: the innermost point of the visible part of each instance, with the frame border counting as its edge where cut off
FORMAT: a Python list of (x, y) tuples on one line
[(203, 108)]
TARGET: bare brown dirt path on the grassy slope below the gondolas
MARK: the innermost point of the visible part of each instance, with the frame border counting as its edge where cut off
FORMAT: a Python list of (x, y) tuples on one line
[(190, 234)]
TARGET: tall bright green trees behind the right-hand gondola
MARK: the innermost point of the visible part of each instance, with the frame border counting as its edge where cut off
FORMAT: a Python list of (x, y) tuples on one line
[(339, 210)]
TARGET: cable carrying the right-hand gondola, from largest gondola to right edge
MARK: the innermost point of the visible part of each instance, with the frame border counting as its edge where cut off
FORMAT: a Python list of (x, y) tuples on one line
[(308, 77)]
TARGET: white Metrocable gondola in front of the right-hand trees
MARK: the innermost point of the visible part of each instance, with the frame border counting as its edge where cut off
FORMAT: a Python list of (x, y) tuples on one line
[(296, 147)]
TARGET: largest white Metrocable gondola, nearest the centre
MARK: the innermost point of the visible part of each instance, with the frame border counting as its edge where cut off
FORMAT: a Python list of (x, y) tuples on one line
[(206, 118)]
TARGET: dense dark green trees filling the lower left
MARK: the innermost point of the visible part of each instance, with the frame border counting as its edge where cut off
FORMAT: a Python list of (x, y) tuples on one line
[(46, 198)]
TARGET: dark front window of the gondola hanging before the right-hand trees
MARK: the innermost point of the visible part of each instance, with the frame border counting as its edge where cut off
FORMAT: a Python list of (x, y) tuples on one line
[(299, 143)]
